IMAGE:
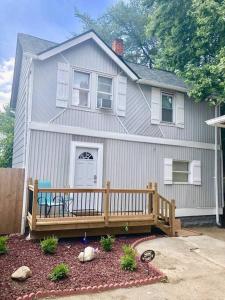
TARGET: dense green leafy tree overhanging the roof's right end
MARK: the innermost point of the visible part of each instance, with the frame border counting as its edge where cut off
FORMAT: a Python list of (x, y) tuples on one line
[(191, 41)]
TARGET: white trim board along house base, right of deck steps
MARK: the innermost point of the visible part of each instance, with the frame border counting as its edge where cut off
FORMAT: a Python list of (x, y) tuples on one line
[(186, 212)]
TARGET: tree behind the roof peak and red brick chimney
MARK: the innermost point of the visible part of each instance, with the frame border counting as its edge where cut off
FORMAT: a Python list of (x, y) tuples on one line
[(125, 20)]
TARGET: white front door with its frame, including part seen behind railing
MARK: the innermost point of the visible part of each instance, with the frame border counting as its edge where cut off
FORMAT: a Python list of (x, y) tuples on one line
[(86, 164)]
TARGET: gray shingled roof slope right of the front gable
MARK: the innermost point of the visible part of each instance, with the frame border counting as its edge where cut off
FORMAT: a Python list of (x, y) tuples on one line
[(163, 77)]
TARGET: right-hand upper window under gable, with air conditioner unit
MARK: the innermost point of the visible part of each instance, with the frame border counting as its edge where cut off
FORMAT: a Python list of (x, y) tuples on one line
[(104, 92)]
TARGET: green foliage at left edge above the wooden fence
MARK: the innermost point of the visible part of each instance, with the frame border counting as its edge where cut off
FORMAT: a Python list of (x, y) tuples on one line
[(6, 137)]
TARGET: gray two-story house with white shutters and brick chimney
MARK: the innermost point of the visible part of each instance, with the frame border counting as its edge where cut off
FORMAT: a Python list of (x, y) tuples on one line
[(84, 115)]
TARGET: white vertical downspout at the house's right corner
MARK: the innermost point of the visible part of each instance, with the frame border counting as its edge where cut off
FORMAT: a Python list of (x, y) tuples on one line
[(216, 173)]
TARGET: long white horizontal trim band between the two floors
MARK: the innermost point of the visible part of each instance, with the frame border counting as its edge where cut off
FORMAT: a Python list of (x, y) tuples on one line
[(118, 136)]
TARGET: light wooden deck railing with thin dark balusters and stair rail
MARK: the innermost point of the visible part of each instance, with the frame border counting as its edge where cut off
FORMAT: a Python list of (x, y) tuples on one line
[(110, 203)]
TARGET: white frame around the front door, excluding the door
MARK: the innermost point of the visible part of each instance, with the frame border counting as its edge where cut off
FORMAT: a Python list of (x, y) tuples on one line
[(99, 147)]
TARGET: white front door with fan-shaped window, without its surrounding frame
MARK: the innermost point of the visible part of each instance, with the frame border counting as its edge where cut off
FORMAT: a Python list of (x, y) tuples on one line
[(86, 167)]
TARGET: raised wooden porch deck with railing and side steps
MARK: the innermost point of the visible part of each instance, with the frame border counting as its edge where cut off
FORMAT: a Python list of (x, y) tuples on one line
[(71, 212)]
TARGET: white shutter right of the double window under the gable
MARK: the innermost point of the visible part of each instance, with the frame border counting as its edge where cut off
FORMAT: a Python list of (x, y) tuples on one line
[(121, 96)]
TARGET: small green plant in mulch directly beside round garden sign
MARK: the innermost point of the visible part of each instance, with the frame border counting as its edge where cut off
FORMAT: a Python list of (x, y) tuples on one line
[(128, 260)]
